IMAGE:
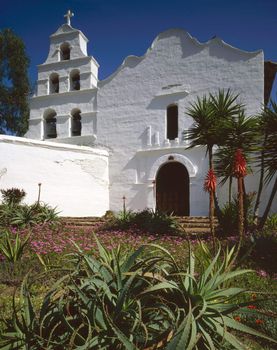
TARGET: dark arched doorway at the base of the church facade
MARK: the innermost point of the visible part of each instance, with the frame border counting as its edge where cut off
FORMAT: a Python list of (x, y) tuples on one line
[(172, 189)]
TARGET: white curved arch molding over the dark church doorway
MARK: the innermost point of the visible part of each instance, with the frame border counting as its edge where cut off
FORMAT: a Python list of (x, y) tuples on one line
[(191, 168)]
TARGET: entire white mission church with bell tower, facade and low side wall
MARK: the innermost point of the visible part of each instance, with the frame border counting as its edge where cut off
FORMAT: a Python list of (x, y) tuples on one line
[(90, 142)]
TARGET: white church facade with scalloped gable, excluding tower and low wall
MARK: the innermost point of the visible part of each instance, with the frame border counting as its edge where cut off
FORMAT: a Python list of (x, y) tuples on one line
[(176, 69)]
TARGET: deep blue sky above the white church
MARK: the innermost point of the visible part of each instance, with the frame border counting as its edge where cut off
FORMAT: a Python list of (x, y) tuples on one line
[(118, 28)]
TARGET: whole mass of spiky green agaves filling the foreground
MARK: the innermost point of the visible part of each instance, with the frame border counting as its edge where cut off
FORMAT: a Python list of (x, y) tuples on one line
[(143, 300)]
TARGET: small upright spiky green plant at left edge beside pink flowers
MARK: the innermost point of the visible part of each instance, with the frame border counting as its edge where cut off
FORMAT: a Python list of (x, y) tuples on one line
[(11, 247)]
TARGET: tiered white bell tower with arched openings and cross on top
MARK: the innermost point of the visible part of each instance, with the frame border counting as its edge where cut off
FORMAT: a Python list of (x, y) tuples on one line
[(64, 104)]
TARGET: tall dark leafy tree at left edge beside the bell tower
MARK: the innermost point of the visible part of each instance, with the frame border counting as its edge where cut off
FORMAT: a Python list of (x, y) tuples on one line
[(14, 84)]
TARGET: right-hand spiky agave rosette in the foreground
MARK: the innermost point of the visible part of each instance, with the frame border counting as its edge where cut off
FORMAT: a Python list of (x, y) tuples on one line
[(205, 305)]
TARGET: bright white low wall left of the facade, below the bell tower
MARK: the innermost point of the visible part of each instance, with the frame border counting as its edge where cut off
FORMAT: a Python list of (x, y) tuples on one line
[(75, 179)]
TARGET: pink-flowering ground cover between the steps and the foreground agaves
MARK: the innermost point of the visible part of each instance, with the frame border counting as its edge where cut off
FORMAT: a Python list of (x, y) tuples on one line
[(53, 243)]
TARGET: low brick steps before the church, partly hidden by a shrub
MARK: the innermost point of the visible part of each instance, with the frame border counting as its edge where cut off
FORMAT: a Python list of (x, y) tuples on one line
[(193, 225)]
